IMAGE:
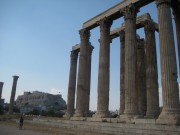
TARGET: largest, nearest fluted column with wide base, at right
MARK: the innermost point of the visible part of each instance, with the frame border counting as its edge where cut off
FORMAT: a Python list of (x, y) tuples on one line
[(171, 109)]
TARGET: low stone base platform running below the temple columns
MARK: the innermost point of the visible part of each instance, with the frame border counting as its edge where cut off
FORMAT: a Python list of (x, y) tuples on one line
[(111, 126)]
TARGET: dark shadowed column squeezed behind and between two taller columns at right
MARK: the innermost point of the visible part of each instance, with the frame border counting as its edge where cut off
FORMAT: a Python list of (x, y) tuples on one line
[(141, 77)]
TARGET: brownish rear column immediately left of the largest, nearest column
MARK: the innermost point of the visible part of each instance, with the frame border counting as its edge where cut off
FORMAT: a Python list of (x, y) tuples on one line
[(151, 71)]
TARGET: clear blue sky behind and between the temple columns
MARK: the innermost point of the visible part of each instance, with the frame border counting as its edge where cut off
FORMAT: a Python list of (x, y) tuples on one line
[(36, 37)]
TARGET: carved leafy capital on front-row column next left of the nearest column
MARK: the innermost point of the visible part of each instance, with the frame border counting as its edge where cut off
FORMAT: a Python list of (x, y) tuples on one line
[(129, 12)]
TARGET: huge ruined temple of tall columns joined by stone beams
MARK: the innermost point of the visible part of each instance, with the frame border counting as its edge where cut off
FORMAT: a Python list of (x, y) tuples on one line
[(139, 96)]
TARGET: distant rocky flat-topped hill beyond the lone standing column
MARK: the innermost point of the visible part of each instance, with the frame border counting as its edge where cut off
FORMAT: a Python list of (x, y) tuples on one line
[(40, 101)]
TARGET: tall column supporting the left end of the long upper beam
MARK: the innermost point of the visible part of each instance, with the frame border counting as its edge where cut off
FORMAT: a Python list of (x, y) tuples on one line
[(82, 73)]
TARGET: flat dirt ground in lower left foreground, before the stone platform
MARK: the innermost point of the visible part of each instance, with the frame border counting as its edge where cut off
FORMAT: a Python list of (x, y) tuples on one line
[(11, 128)]
